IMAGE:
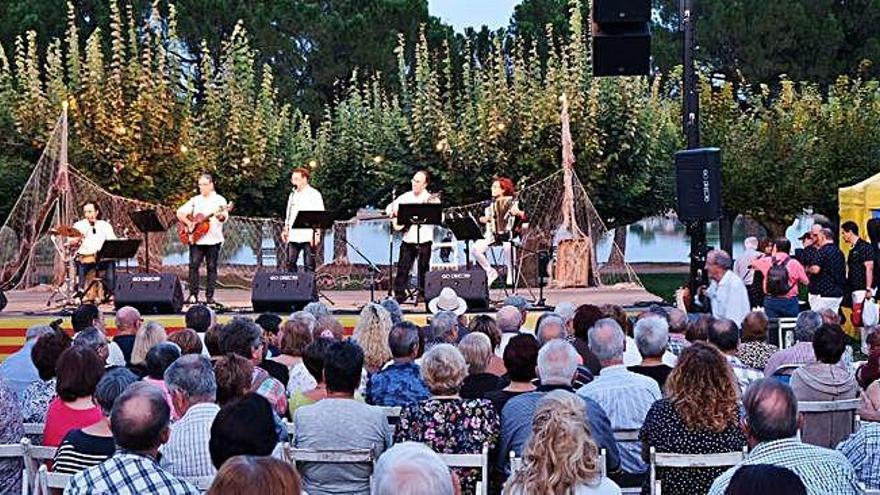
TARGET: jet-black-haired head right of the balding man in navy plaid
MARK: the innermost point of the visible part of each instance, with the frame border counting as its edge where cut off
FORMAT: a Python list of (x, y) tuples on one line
[(243, 427)]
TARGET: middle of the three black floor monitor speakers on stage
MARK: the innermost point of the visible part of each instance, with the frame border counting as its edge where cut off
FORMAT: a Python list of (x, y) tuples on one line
[(282, 292)]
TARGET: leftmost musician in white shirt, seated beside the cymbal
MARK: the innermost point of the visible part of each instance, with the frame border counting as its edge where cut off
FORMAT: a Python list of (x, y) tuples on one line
[(94, 232)]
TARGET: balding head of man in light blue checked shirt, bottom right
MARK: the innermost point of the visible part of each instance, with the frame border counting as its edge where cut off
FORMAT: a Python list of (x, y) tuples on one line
[(771, 409)]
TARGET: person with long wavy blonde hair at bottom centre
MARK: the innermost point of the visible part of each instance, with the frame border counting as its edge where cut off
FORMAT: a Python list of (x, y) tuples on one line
[(560, 455)]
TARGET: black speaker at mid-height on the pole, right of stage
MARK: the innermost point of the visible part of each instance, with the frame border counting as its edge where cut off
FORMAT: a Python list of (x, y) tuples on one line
[(698, 183)]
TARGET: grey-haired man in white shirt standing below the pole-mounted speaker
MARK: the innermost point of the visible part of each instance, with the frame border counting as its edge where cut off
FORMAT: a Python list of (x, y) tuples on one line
[(726, 291)]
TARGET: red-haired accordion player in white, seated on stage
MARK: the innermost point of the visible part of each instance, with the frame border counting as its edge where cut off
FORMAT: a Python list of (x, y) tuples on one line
[(500, 218)]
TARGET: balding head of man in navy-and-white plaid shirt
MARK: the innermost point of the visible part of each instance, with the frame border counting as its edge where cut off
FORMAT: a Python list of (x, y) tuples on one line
[(140, 417)]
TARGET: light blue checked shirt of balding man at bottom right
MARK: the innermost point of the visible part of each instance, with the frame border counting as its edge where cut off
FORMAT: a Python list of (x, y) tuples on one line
[(823, 471)]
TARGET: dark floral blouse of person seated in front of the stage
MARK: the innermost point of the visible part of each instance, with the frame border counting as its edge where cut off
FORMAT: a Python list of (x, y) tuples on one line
[(452, 426)]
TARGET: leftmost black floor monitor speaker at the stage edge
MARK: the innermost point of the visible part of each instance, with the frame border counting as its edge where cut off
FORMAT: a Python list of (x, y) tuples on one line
[(150, 293)]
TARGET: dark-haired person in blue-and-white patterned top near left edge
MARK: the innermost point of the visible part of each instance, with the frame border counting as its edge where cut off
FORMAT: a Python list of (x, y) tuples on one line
[(37, 396)]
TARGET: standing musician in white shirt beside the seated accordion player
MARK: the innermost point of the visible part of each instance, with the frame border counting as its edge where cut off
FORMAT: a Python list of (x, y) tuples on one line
[(416, 242)]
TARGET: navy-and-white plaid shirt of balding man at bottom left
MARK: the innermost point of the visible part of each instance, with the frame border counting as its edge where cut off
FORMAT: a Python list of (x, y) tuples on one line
[(127, 473)]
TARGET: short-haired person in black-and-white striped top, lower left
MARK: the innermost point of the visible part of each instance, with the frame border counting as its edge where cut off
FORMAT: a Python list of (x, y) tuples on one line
[(92, 445)]
